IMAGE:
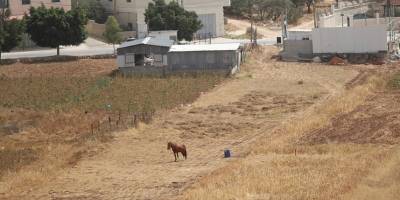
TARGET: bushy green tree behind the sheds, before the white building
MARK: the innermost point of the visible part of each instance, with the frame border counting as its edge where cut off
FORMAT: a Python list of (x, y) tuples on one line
[(171, 16)]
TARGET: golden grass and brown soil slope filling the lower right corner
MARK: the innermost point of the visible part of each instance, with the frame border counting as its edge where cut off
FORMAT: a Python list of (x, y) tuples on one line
[(347, 148)]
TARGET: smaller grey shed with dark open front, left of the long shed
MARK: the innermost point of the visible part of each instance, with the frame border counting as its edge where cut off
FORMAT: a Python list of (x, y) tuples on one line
[(148, 51)]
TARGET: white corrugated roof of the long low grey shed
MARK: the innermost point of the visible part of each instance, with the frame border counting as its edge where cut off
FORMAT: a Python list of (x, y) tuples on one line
[(205, 47)]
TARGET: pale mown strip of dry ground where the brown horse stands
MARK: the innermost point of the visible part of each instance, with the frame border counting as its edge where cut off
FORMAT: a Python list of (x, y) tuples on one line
[(137, 164)]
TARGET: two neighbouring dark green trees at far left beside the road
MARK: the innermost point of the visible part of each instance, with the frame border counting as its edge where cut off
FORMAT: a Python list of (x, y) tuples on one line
[(47, 27)]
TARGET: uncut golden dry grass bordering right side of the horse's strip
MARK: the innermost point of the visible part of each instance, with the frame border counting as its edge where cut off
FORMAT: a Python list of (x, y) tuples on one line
[(281, 167)]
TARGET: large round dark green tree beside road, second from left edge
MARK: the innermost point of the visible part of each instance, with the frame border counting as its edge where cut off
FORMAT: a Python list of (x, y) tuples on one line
[(52, 27)]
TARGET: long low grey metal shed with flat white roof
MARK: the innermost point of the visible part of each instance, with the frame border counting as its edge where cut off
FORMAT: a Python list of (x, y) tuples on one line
[(211, 57)]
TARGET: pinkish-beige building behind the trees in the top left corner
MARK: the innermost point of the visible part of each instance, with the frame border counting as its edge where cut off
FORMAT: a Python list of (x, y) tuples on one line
[(19, 7)]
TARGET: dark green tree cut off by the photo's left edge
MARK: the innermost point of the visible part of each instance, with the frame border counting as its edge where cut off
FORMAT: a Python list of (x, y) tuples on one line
[(11, 31)]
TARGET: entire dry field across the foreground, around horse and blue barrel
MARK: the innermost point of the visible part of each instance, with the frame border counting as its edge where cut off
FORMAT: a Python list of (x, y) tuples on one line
[(296, 131)]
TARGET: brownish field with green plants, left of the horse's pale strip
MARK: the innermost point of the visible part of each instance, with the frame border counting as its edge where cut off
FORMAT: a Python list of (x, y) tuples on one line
[(47, 112)]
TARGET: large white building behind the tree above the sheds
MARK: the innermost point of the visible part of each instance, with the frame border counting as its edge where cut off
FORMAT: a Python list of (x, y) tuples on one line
[(130, 14)]
